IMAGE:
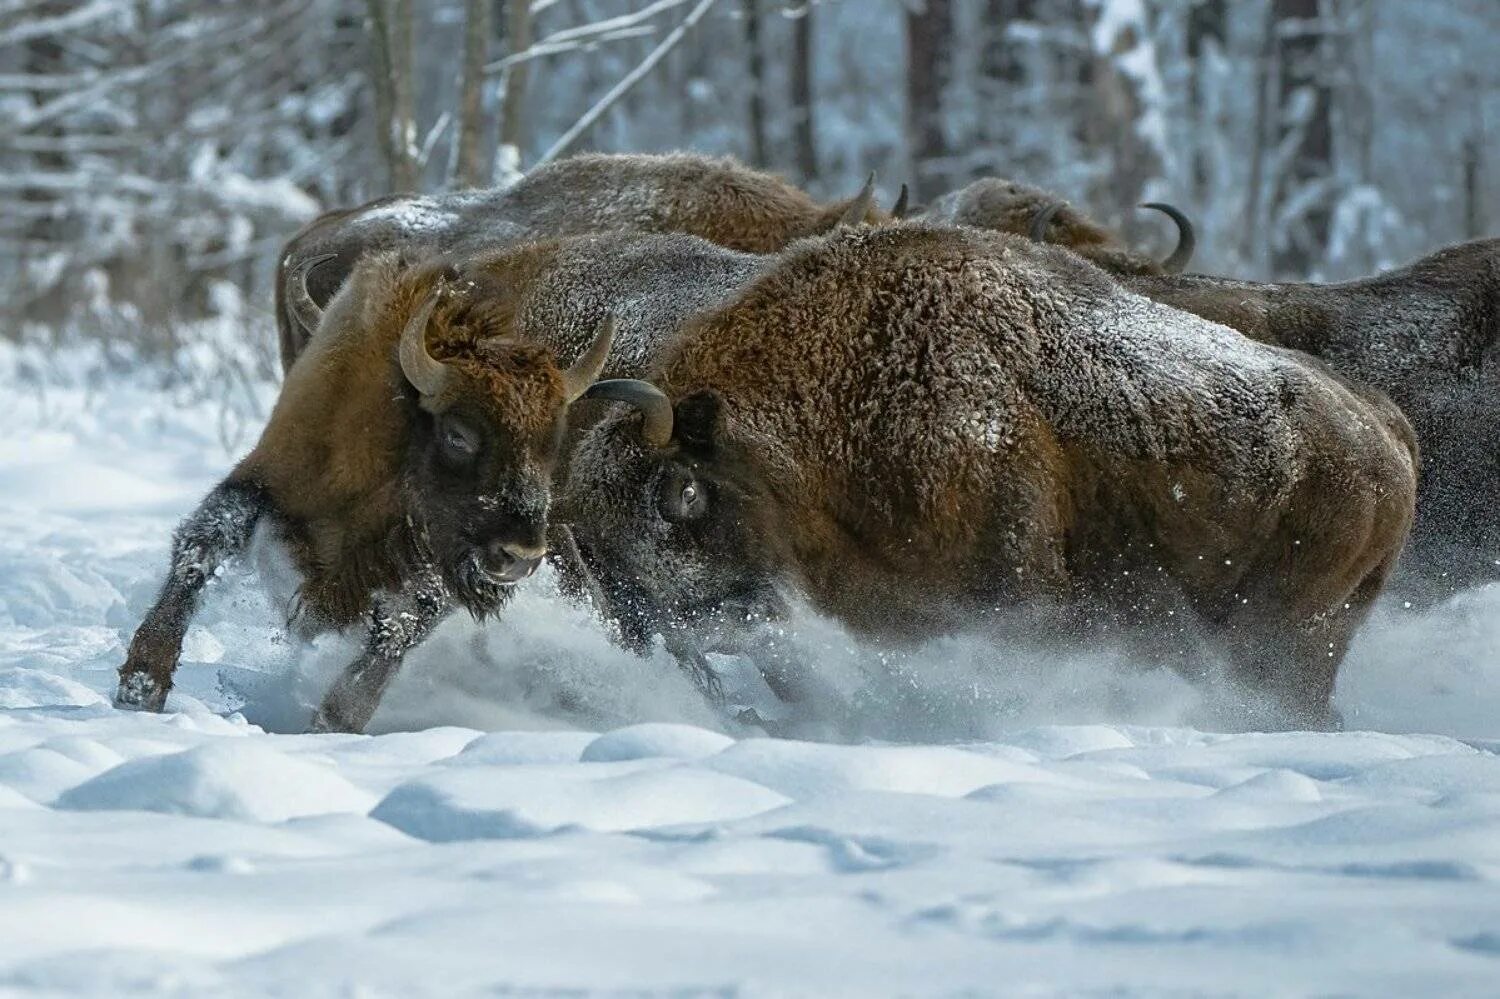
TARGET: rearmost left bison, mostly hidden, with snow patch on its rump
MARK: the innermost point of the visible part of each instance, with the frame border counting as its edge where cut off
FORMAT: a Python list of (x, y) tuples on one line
[(716, 199)]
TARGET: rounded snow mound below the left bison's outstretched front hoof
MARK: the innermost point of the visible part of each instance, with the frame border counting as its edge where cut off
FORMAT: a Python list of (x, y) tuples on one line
[(232, 781)]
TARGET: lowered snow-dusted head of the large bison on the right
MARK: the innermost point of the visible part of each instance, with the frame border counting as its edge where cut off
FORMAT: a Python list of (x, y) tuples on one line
[(671, 518)]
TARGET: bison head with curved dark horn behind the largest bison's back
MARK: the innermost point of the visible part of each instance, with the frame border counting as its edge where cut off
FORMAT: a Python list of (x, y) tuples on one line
[(1009, 206)]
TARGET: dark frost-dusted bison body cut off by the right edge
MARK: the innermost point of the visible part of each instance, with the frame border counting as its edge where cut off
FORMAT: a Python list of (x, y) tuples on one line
[(1426, 335)]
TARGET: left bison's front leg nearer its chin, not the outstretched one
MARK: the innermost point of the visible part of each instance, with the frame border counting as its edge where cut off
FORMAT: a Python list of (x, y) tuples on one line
[(398, 623)]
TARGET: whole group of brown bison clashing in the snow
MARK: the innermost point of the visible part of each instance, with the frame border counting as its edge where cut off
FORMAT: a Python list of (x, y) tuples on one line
[(700, 392)]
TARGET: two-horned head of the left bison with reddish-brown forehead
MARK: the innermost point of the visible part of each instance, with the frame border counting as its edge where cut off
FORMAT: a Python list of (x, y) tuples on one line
[(485, 428)]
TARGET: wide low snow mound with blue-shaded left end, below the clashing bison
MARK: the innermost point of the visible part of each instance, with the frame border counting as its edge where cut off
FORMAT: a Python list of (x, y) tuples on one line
[(479, 803)]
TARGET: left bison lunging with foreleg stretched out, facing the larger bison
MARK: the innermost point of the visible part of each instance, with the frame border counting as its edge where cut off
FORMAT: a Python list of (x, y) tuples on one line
[(409, 463)]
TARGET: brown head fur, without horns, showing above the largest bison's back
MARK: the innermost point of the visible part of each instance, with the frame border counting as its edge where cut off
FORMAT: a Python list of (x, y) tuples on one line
[(1009, 206)]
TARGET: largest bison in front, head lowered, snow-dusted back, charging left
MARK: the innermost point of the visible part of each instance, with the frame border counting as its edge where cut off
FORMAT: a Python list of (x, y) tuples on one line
[(920, 427)]
